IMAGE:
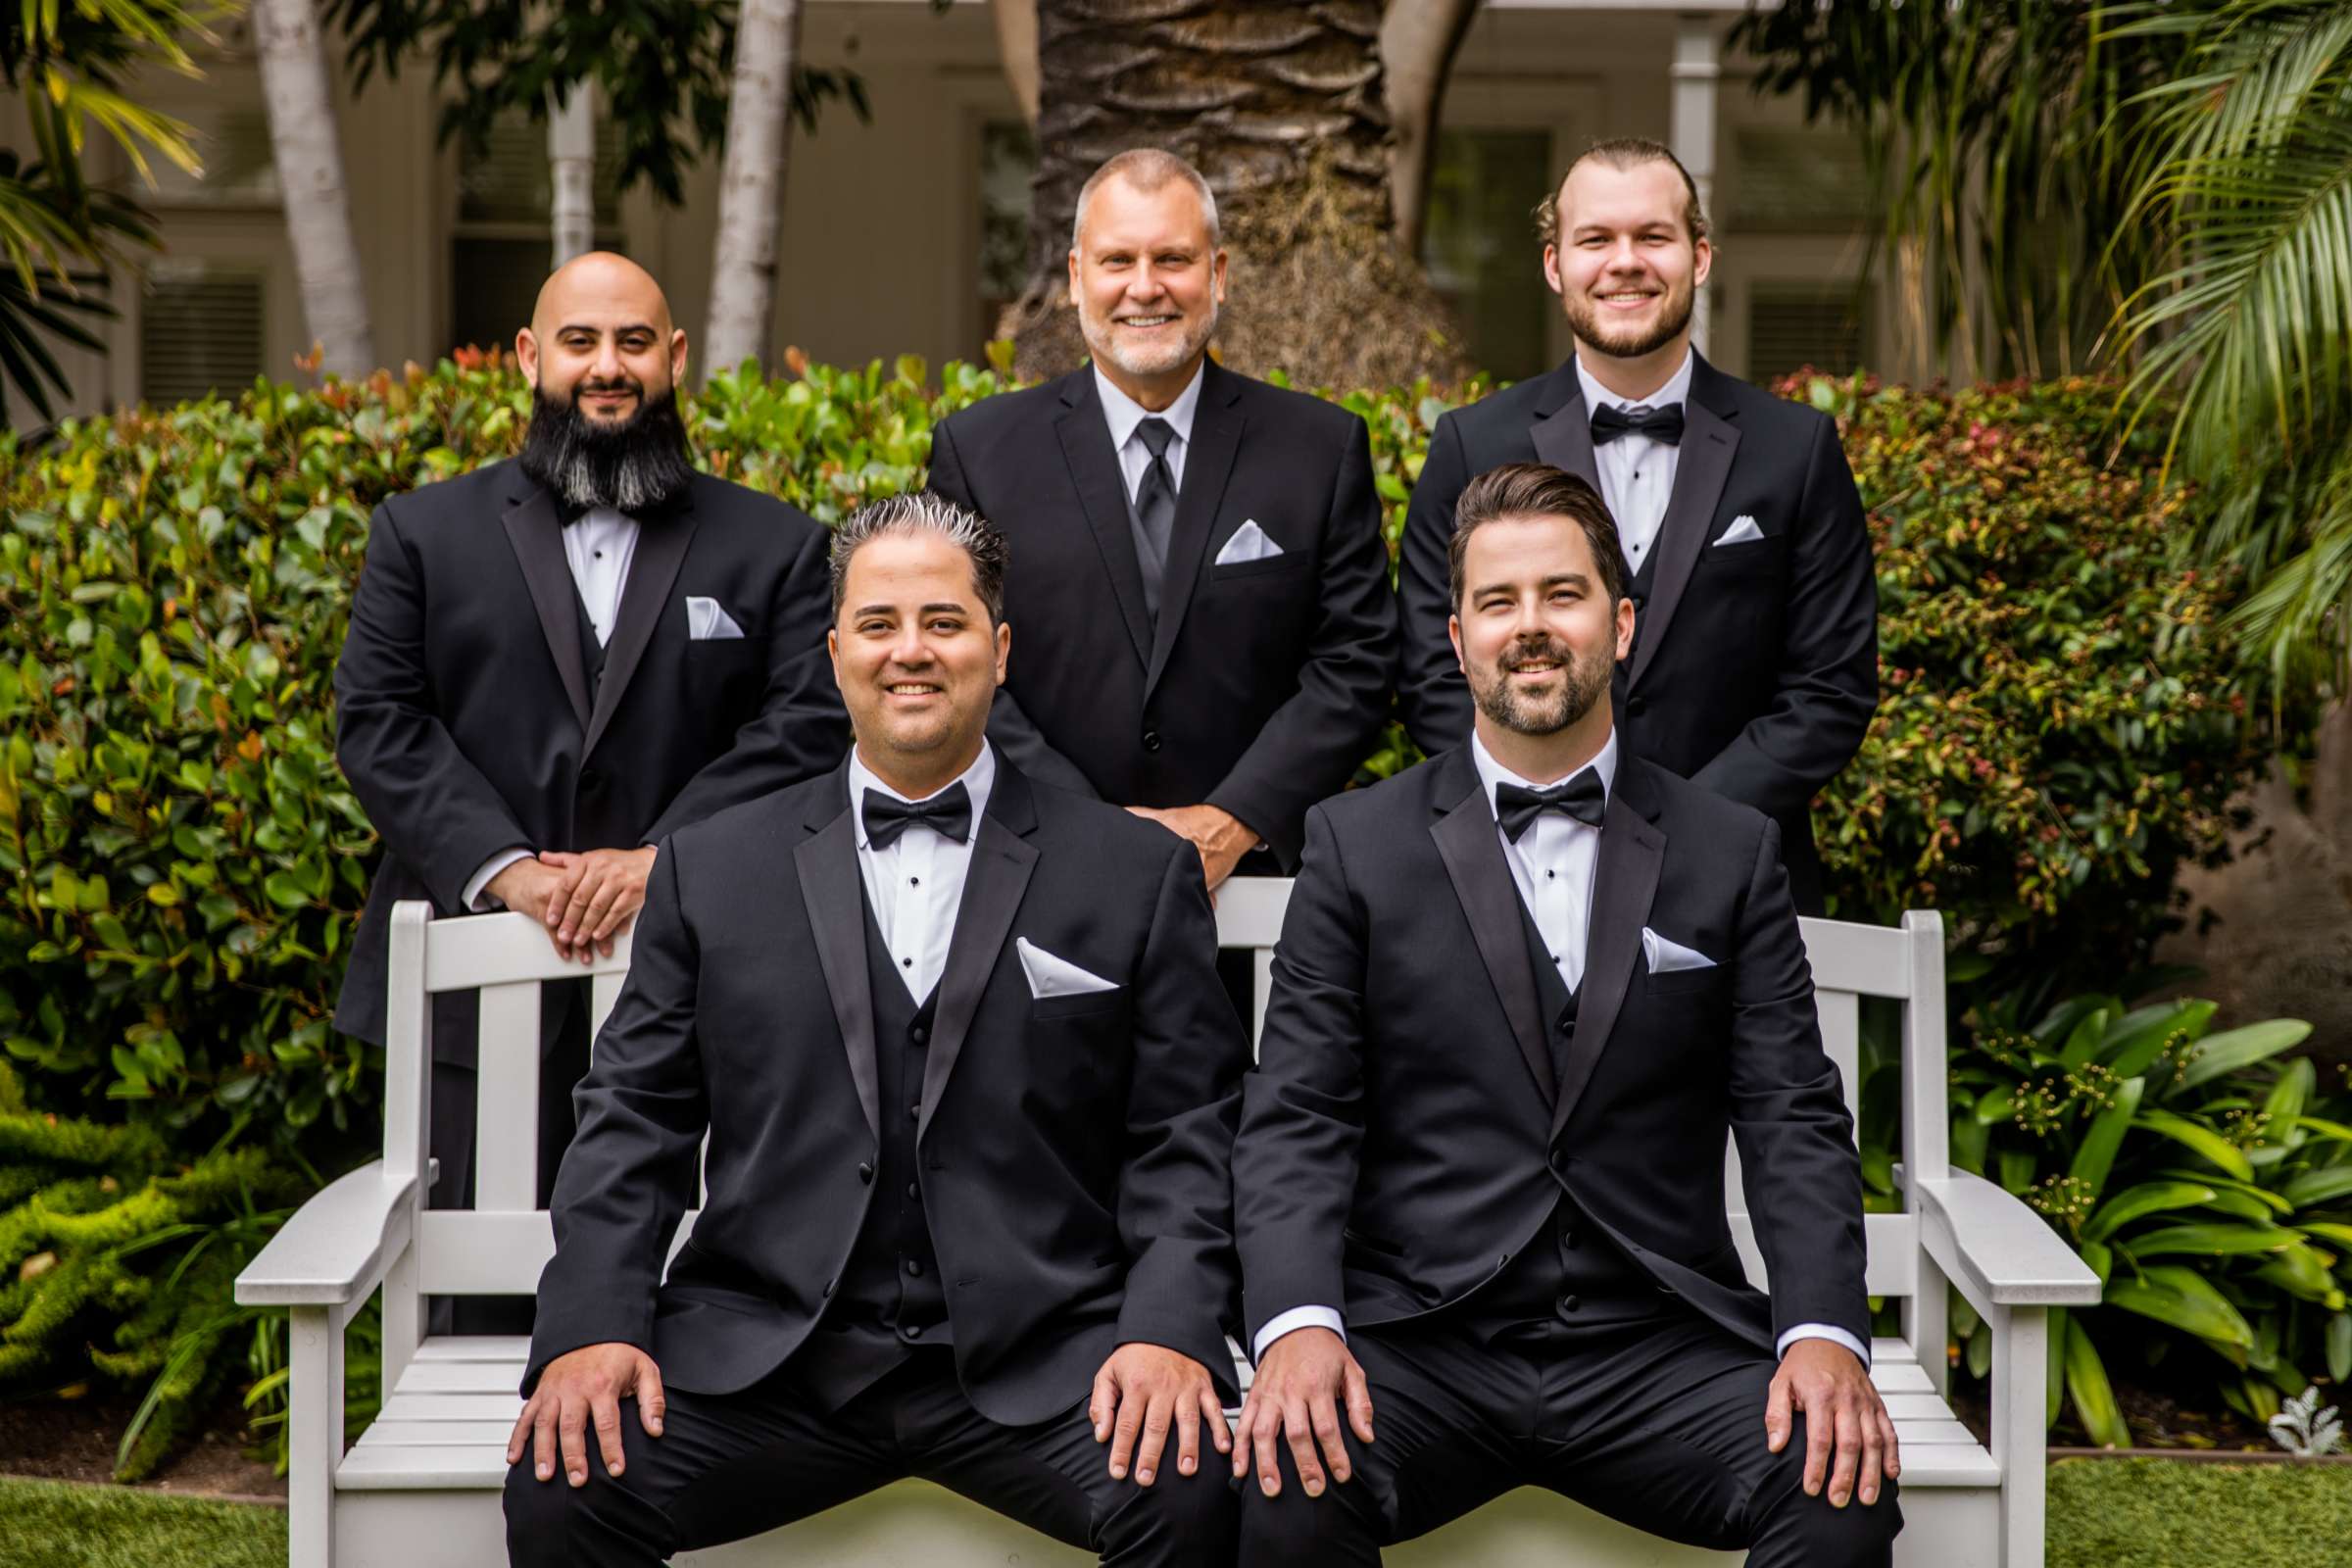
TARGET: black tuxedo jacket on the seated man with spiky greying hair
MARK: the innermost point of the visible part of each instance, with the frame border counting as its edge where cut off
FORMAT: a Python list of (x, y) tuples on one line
[(1076, 1151)]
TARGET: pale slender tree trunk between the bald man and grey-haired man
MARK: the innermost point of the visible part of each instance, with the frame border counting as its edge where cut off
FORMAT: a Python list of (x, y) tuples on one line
[(751, 182)]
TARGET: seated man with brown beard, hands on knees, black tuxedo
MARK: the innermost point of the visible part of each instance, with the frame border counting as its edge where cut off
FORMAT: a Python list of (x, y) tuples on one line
[(1521, 1000)]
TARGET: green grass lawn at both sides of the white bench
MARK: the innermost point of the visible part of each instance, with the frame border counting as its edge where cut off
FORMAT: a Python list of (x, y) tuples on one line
[(2104, 1515)]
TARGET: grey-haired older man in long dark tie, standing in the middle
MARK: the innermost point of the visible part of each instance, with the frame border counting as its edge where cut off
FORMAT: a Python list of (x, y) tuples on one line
[(1201, 551)]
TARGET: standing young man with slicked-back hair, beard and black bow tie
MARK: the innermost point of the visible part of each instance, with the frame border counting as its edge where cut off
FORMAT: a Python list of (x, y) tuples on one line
[(1753, 662)]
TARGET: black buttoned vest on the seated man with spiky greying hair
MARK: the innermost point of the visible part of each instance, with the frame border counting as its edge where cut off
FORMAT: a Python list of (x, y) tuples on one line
[(890, 1299)]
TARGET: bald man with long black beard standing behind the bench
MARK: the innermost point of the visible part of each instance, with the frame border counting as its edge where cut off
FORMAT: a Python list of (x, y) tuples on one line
[(559, 662)]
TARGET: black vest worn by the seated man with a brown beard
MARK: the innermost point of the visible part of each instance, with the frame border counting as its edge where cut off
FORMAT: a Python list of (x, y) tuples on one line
[(1570, 1273)]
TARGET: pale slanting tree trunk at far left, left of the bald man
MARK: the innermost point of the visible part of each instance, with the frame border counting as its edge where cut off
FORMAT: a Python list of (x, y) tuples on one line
[(312, 185)]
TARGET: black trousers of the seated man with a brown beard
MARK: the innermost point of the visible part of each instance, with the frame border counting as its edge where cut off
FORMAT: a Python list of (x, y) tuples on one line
[(1657, 1428)]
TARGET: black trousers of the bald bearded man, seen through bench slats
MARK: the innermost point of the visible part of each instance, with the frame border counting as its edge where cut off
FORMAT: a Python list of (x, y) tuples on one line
[(563, 1064)]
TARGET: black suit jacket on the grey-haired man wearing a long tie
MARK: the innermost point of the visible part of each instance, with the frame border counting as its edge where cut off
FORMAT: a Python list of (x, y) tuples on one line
[(1264, 683)]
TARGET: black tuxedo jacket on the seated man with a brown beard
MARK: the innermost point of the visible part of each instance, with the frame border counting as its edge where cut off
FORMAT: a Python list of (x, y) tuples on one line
[(1405, 1132)]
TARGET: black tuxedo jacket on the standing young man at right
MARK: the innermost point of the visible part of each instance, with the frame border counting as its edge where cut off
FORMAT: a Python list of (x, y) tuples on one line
[(1756, 666)]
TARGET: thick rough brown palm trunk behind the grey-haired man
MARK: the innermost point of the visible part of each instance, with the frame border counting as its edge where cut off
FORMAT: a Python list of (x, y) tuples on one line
[(1281, 109)]
